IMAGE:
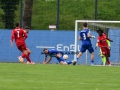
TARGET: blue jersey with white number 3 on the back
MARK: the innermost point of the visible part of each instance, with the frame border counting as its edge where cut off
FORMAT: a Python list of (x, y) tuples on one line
[(85, 38)]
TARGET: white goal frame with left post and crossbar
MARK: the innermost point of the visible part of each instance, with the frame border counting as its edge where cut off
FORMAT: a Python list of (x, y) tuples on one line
[(88, 21)]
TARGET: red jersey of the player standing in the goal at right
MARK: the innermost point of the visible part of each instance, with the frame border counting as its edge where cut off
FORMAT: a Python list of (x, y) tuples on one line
[(102, 41)]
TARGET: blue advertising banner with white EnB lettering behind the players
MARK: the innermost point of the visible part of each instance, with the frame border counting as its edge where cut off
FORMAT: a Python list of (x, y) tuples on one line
[(61, 40)]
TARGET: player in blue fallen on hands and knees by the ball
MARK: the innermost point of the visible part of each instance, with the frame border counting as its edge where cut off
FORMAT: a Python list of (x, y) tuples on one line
[(57, 54)]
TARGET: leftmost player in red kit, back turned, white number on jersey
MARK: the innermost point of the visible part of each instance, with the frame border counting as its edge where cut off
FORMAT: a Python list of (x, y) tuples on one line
[(19, 35)]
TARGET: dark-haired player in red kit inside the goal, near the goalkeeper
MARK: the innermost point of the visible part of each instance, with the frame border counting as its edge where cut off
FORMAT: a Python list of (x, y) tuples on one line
[(102, 43)]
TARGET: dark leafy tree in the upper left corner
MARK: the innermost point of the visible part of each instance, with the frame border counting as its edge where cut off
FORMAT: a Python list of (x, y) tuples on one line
[(9, 7)]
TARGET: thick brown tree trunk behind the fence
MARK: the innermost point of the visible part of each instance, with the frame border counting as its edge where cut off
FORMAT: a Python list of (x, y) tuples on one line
[(27, 14)]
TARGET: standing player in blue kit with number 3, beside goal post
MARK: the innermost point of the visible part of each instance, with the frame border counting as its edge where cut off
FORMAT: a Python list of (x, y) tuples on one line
[(85, 36)]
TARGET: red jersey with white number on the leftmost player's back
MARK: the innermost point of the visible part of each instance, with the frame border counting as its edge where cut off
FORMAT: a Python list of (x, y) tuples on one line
[(19, 35)]
